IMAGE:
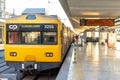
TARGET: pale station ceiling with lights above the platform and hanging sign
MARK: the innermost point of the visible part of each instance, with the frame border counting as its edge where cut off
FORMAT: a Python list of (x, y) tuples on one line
[(90, 9)]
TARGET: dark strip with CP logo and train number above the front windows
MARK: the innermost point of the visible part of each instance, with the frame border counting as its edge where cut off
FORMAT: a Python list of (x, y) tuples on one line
[(29, 27)]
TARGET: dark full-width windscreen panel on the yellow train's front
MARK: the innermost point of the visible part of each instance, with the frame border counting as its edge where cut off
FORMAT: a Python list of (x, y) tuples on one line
[(31, 35)]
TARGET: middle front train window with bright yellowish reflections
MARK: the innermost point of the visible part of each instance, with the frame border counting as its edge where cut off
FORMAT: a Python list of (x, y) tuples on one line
[(30, 37)]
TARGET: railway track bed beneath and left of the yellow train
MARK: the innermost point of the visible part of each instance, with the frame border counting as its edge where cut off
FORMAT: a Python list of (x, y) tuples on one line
[(10, 74)]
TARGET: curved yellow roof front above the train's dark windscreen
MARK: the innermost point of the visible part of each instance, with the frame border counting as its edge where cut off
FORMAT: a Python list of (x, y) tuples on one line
[(37, 19)]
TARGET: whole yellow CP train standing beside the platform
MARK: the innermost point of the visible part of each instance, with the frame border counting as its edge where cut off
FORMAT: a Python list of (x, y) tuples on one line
[(35, 41)]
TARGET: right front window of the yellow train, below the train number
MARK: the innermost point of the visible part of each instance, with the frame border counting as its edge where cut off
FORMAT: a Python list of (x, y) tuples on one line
[(49, 37)]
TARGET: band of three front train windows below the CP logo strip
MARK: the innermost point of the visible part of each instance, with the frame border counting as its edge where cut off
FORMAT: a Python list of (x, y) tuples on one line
[(32, 37)]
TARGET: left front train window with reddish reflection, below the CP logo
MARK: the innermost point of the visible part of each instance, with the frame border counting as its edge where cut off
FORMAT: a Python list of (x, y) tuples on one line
[(13, 37)]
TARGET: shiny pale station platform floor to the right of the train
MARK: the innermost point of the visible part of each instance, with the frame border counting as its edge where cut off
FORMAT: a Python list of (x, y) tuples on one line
[(93, 62)]
